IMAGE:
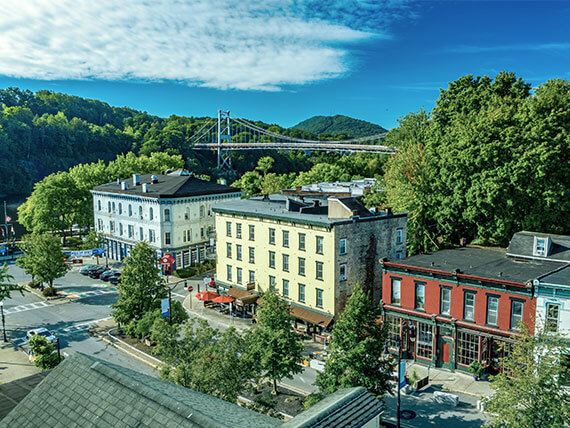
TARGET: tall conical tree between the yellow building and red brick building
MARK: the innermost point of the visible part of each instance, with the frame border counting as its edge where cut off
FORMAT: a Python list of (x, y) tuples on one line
[(356, 351)]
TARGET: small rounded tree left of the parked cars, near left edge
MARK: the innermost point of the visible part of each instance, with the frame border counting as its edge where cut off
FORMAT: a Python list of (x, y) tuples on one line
[(43, 258)]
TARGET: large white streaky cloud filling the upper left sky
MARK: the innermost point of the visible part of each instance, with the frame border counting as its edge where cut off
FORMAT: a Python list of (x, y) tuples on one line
[(244, 44)]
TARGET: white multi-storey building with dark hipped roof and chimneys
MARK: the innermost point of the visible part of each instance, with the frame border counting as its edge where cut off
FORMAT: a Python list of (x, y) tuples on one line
[(171, 212)]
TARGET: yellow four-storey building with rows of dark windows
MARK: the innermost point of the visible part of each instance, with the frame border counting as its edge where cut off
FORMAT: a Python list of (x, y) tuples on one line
[(311, 251)]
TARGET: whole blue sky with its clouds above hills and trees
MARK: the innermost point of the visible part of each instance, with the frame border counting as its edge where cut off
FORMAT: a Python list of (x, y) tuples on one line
[(279, 61)]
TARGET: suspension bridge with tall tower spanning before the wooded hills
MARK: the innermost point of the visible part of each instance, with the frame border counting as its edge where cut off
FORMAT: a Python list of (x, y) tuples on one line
[(227, 134)]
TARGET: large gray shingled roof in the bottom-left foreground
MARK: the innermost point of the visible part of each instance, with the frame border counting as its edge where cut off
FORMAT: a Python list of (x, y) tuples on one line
[(88, 392)]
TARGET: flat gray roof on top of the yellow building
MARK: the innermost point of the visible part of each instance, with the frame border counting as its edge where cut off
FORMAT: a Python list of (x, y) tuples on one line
[(275, 207)]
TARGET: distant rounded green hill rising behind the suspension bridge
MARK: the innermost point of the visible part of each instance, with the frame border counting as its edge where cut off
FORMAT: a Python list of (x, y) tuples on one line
[(339, 125)]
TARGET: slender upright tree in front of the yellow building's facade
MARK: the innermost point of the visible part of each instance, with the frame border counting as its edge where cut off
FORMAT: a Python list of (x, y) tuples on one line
[(272, 343)]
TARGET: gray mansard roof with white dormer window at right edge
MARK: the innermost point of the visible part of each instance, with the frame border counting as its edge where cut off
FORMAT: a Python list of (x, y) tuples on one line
[(522, 245)]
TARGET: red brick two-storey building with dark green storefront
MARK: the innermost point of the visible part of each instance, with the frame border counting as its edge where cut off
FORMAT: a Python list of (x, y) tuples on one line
[(453, 307)]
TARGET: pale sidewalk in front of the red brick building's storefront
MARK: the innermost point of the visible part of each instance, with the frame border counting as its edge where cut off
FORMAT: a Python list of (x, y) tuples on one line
[(452, 382)]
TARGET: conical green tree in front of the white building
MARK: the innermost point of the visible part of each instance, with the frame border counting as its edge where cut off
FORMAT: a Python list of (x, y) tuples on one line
[(139, 289)]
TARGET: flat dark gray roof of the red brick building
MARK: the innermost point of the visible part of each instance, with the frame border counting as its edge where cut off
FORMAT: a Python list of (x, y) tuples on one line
[(482, 262)]
